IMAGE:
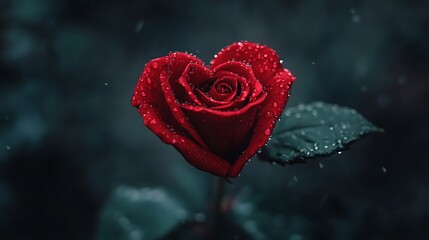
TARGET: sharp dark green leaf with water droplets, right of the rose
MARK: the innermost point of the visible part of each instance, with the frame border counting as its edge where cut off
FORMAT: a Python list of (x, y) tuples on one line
[(314, 130)]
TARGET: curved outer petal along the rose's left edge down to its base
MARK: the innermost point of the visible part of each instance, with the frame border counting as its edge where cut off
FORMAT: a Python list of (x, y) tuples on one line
[(157, 117)]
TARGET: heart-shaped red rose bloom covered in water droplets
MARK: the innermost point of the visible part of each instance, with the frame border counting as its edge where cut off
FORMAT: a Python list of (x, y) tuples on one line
[(217, 117)]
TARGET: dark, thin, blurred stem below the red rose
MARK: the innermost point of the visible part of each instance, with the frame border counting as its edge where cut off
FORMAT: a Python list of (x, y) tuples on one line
[(217, 207)]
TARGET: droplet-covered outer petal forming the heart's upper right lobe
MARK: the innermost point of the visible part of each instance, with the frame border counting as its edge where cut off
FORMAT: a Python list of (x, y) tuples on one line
[(263, 60)]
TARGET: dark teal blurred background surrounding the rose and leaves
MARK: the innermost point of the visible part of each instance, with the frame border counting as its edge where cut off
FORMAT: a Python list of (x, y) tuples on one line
[(69, 137)]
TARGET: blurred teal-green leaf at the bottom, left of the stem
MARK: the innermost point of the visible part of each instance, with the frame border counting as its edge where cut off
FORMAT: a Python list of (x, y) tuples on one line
[(134, 214)]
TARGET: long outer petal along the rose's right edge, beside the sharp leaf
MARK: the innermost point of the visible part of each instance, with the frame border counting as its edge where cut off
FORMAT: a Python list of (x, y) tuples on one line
[(278, 92)]
